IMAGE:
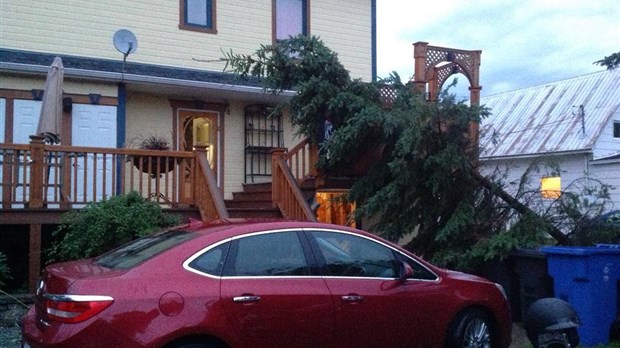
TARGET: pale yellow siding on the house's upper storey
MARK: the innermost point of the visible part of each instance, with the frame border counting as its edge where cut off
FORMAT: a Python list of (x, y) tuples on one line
[(86, 27)]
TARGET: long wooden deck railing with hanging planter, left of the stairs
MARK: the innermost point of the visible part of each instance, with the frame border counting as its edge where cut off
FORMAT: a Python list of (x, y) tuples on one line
[(37, 175)]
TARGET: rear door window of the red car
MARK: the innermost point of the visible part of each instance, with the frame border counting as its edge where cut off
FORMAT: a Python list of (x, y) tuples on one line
[(271, 254)]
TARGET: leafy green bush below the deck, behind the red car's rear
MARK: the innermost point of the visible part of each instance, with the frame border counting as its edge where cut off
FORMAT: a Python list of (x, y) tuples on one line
[(107, 224)]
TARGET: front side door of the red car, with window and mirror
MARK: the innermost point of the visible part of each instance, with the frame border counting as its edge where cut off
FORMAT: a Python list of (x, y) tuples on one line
[(373, 307)]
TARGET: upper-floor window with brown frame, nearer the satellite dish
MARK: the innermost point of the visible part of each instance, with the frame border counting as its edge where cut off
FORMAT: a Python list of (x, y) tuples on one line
[(198, 15)]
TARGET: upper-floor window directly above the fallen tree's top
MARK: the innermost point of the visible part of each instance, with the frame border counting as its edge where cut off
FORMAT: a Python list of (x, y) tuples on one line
[(291, 18)]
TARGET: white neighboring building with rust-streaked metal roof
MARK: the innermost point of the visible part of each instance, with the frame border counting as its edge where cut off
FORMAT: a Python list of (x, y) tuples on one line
[(573, 122)]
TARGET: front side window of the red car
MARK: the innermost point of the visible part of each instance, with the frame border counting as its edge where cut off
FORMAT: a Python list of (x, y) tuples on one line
[(347, 255)]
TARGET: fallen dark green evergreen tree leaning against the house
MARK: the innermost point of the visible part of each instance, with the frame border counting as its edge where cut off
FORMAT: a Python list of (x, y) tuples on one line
[(422, 180)]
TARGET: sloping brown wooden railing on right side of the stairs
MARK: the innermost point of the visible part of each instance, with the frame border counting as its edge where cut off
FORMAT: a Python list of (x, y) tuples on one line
[(286, 193)]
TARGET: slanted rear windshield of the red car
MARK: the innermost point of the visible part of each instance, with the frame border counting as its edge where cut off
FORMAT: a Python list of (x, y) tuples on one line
[(139, 250)]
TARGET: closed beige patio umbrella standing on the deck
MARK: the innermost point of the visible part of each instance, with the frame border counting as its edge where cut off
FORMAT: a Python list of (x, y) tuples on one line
[(50, 119)]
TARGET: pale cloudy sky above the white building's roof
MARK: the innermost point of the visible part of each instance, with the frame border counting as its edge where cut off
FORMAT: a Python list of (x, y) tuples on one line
[(524, 42)]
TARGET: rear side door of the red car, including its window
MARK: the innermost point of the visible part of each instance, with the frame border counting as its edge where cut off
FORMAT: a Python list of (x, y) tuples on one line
[(271, 295)]
